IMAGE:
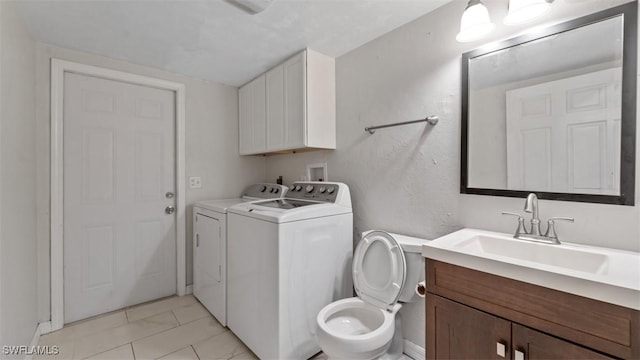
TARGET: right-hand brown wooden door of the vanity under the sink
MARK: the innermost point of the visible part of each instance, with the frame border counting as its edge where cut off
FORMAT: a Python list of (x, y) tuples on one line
[(531, 344)]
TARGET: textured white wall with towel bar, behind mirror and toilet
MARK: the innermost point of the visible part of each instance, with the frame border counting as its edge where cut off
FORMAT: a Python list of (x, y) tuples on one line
[(406, 179)]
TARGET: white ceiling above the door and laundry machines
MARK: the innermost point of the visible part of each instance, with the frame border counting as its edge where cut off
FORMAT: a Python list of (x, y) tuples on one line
[(212, 39)]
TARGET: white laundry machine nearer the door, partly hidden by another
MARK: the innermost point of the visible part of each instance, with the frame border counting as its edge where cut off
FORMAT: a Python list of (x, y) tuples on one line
[(210, 246)]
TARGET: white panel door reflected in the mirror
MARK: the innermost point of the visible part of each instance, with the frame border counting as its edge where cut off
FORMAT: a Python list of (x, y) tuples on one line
[(564, 135)]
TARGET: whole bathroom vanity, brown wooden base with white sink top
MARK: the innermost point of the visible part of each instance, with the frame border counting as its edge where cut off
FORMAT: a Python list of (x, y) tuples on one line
[(484, 302)]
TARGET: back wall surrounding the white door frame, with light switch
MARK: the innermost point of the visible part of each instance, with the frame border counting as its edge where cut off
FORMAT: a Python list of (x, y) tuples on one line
[(211, 146)]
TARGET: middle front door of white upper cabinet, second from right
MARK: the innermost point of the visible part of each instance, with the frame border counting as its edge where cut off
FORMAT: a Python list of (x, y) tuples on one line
[(276, 129)]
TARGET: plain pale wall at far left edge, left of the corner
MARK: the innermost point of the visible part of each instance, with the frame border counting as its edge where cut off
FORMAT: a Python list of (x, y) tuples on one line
[(18, 305)]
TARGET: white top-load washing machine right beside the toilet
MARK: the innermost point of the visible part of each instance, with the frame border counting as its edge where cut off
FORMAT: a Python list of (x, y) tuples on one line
[(287, 259)]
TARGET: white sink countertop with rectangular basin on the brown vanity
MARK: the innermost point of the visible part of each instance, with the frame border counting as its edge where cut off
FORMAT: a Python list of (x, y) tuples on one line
[(604, 274)]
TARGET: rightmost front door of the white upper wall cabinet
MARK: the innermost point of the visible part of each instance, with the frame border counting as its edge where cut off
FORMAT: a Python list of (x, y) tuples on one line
[(295, 87)]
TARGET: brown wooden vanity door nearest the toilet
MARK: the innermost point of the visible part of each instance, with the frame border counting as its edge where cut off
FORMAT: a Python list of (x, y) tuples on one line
[(456, 331)]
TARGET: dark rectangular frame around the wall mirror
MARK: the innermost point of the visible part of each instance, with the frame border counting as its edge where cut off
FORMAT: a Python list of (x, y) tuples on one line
[(628, 116)]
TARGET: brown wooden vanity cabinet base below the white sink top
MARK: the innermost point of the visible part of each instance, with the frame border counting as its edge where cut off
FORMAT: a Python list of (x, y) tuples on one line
[(476, 315)]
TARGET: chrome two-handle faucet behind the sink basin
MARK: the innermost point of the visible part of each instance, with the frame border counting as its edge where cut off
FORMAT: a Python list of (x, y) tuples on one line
[(531, 206)]
